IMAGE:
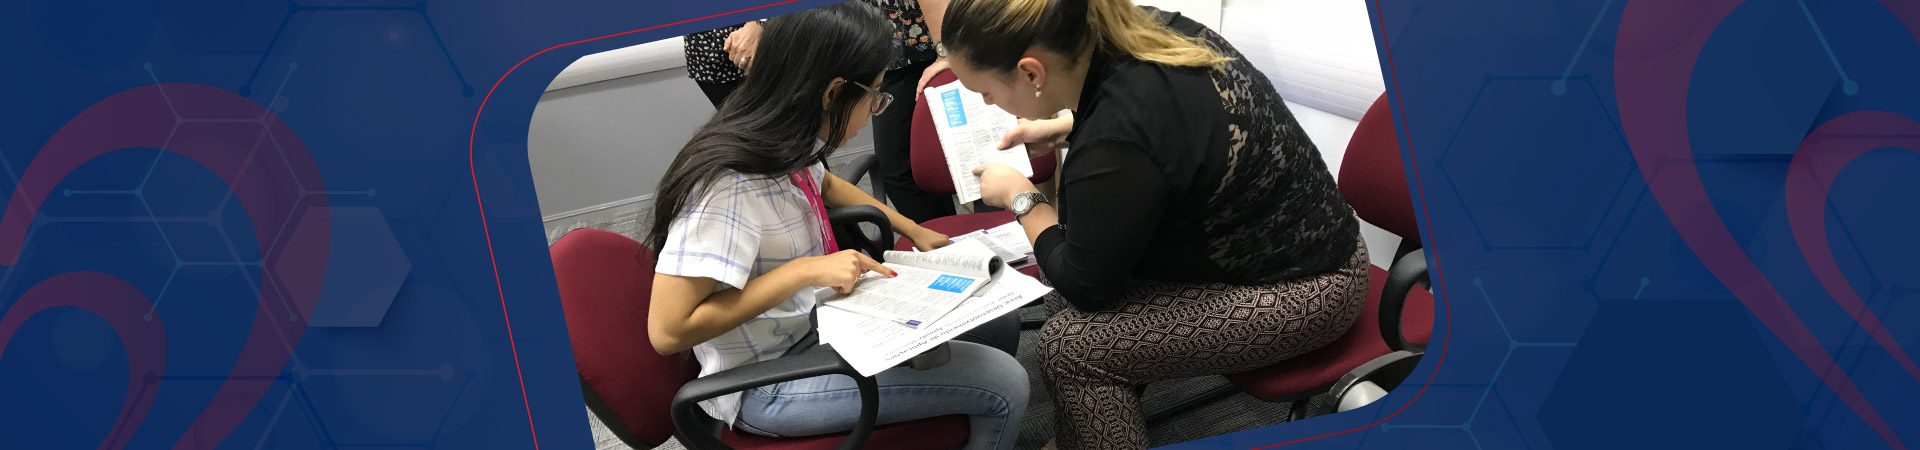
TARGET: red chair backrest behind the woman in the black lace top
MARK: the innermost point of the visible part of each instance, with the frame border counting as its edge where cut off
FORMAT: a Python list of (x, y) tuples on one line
[(1374, 178)]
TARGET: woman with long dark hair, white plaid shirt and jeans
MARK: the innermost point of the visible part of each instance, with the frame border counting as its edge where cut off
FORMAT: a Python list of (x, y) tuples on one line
[(742, 237)]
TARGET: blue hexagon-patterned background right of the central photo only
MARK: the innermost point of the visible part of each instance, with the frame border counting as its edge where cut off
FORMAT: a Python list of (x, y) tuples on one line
[(1575, 314)]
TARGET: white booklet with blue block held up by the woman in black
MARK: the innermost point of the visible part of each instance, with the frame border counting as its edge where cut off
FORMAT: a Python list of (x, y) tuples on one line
[(971, 136)]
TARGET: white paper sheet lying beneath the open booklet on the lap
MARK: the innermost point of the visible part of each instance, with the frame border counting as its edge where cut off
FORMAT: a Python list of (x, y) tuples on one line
[(875, 345)]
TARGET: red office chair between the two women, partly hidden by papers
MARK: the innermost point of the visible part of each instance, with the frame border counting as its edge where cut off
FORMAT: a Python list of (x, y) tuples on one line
[(932, 176)]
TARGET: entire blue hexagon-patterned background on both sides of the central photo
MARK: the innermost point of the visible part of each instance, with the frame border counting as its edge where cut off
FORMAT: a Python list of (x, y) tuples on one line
[(1573, 312)]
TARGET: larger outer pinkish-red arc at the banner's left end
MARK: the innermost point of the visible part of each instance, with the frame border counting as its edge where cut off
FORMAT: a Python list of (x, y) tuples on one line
[(147, 118)]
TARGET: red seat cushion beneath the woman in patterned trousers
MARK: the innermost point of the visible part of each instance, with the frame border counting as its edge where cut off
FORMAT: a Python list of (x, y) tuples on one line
[(1316, 372)]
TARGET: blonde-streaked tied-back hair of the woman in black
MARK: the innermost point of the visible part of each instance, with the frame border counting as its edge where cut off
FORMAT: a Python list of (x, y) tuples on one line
[(996, 34)]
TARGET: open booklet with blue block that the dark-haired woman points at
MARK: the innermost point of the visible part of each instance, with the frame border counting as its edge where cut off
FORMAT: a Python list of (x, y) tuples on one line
[(928, 284)]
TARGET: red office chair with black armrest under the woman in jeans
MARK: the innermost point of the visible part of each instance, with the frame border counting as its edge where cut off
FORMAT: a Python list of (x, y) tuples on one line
[(644, 397)]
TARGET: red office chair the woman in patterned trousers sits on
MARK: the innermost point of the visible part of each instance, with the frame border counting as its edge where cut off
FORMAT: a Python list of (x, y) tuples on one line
[(1393, 330)]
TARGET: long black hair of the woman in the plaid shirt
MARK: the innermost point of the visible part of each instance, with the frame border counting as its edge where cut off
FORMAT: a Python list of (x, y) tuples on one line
[(771, 126)]
